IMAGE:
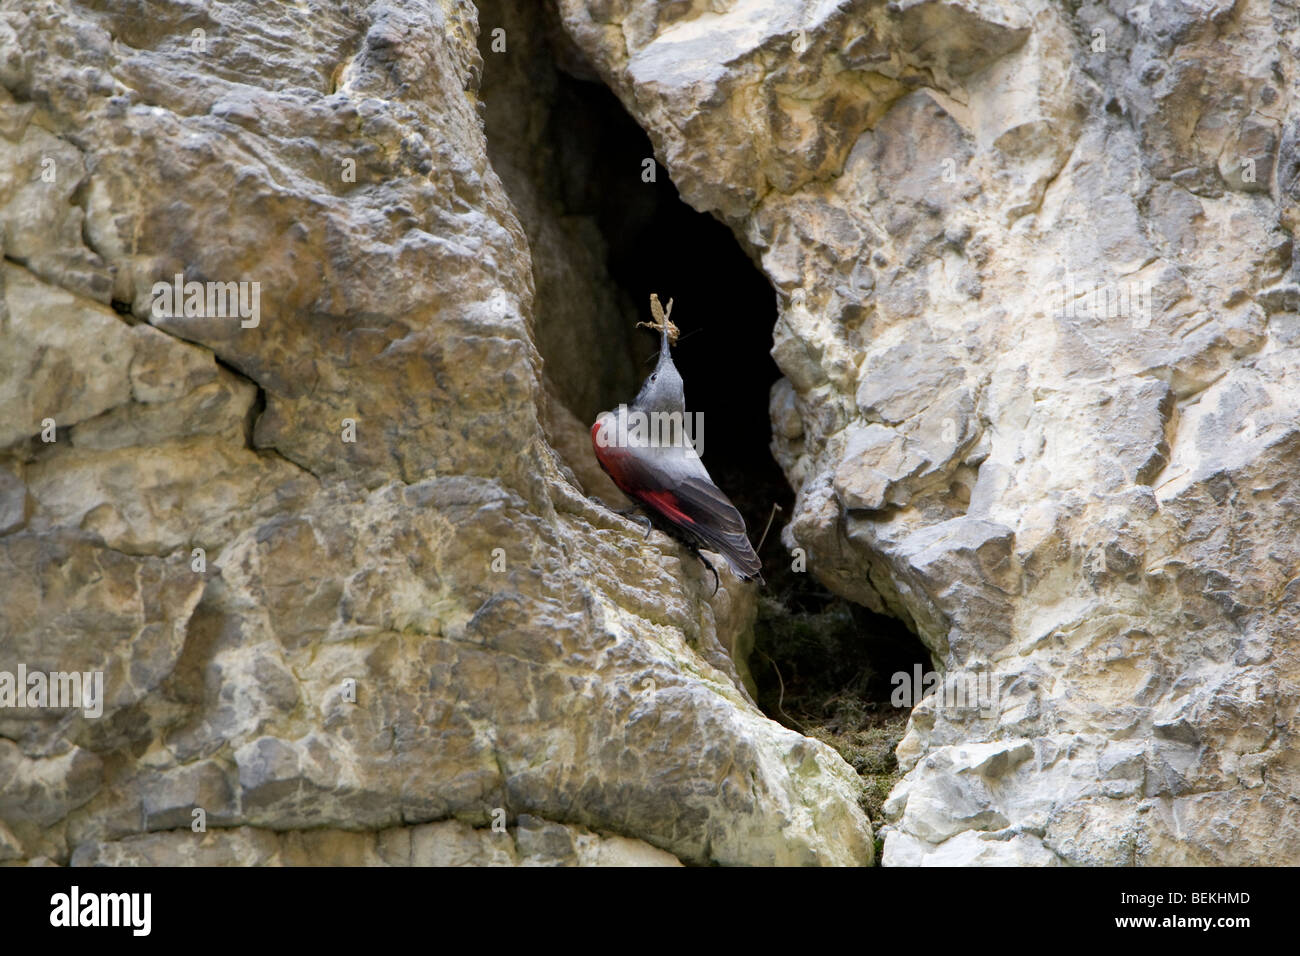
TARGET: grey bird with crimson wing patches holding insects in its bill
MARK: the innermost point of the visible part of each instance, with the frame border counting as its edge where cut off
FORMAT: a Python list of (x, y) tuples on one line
[(666, 478)]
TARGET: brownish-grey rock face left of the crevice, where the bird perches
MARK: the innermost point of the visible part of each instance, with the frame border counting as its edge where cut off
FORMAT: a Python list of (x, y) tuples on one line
[(346, 599)]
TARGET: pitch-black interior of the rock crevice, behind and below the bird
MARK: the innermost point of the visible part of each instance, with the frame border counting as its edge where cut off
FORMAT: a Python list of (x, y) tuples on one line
[(727, 310)]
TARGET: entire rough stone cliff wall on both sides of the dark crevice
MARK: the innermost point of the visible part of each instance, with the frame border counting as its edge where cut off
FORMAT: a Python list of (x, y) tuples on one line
[(1039, 336)]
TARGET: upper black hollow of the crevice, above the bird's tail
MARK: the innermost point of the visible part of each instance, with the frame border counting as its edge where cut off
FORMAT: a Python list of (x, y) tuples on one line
[(657, 244)]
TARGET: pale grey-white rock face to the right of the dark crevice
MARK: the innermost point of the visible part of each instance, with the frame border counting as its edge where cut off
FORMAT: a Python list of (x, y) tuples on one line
[(1041, 340)]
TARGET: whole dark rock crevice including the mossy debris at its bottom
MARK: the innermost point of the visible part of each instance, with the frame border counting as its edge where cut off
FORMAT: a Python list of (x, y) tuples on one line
[(822, 665)]
